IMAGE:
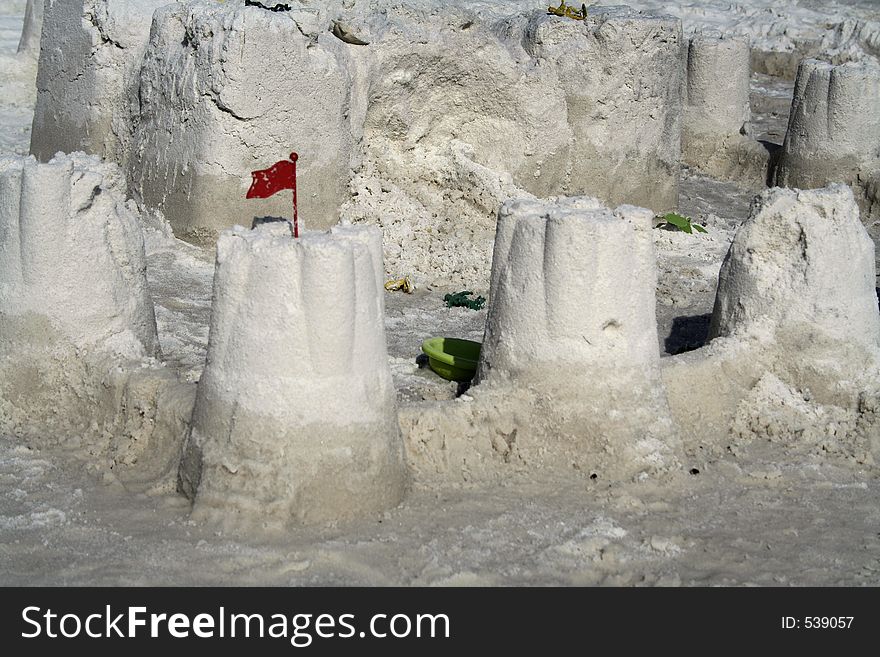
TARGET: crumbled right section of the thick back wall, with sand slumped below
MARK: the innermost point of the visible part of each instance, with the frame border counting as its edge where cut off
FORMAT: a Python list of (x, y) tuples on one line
[(475, 105)]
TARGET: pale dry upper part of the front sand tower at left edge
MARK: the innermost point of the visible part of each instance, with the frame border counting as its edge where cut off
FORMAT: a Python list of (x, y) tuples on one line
[(72, 256)]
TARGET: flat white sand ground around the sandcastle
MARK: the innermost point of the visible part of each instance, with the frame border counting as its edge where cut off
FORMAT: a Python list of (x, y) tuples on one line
[(785, 498)]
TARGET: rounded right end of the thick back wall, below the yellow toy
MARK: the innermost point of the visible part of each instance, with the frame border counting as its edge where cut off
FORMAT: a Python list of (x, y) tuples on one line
[(620, 74)]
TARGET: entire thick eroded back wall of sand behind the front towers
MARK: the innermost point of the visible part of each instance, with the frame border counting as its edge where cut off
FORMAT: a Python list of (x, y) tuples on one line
[(420, 121)]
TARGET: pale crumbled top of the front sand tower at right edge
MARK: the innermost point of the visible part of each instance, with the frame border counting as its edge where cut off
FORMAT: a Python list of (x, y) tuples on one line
[(802, 259)]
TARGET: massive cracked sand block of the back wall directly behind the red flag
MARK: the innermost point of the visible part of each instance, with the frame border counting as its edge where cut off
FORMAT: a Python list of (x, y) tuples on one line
[(207, 117)]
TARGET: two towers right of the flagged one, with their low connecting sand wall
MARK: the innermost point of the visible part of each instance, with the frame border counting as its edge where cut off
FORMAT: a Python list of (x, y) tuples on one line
[(570, 376)]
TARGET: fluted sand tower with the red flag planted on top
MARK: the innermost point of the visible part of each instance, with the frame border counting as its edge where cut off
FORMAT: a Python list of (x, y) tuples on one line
[(295, 416)]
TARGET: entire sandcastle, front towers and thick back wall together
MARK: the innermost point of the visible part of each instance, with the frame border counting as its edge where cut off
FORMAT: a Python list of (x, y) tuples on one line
[(294, 419)]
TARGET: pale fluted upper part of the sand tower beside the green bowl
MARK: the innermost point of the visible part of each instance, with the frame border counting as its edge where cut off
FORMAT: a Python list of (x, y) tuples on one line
[(572, 288)]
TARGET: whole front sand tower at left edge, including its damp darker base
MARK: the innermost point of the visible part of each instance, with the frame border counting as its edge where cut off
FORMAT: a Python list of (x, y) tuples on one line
[(77, 326)]
